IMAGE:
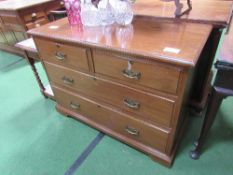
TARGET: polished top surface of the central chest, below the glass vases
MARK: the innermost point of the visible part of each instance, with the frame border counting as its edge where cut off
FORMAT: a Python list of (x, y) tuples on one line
[(174, 42)]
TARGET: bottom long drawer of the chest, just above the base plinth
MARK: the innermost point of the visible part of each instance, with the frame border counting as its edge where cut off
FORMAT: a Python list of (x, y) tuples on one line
[(121, 123)]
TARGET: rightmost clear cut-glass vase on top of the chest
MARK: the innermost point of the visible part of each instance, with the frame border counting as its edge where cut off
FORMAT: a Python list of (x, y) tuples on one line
[(123, 12)]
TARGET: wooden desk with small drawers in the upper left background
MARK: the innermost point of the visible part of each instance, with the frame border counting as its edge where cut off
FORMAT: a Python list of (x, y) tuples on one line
[(17, 16)]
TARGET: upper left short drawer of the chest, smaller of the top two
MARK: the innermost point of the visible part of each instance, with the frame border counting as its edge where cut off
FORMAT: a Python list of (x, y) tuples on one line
[(63, 54)]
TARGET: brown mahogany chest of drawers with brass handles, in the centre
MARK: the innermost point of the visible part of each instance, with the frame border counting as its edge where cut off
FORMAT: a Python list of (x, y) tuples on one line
[(130, 82)]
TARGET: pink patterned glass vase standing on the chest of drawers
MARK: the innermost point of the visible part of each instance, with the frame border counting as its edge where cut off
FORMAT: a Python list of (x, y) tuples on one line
[(73, 9)]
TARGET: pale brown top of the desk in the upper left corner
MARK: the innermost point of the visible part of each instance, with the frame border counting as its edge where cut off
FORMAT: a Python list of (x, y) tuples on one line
[(20, 4)]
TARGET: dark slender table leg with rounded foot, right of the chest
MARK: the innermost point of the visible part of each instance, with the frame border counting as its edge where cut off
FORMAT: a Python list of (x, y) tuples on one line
[(214, 104)]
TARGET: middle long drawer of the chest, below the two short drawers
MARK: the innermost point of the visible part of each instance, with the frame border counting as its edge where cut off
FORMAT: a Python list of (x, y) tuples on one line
[(146, 106)]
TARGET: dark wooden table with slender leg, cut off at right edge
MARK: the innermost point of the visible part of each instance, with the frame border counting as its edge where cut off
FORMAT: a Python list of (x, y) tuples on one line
[(222, 88)]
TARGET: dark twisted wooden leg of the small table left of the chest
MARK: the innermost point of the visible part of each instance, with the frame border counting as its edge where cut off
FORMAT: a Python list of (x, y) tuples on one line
[(32, 64)]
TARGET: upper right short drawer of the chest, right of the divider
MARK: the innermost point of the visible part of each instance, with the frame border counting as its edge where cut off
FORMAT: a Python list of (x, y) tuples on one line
[(156, 76)]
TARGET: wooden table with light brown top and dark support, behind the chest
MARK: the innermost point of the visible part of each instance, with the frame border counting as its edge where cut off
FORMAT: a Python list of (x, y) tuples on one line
[(217, 13)]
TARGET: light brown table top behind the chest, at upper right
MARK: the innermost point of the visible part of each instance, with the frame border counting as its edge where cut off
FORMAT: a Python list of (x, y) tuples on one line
[(204, 11)]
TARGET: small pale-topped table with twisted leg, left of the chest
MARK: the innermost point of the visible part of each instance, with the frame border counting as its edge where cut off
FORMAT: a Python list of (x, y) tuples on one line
[(31, 55)]
